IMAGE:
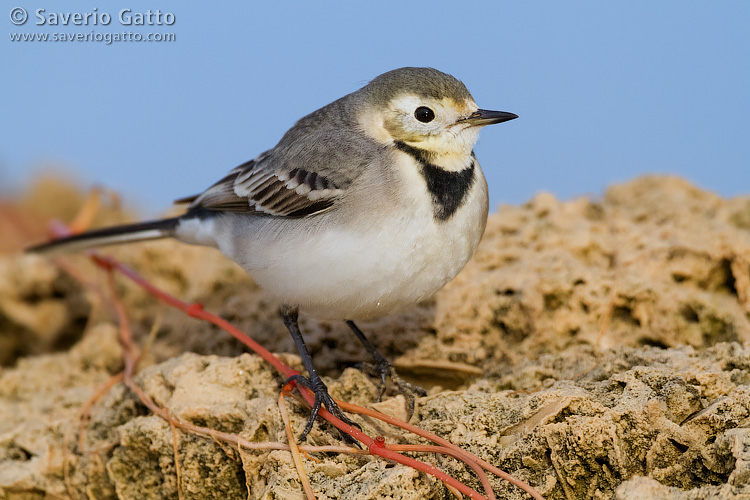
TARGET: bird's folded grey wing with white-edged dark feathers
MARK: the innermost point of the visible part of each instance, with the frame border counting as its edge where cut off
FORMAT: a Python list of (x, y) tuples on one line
[(293, 181)]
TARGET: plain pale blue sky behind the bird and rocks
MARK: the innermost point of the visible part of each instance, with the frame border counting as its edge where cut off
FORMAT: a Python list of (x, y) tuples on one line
[(605, 90)]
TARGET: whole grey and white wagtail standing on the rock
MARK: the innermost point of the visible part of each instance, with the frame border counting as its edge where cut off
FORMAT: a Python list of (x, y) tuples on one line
[(367, 205)]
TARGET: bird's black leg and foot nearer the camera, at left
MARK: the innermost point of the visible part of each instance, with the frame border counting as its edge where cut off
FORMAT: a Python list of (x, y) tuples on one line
[(314, 383)]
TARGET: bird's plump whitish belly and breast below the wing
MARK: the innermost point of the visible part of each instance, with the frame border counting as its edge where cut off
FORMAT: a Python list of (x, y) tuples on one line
[(361, 267)]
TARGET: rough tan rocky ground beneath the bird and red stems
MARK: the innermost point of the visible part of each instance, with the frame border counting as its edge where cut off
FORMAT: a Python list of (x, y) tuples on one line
[(596, 348)]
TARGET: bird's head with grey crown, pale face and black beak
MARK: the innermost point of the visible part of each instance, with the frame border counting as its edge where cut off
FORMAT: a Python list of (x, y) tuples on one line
[(426, 109)]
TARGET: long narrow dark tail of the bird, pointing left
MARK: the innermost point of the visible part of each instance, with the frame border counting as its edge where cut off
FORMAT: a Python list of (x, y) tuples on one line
[(109, 236)]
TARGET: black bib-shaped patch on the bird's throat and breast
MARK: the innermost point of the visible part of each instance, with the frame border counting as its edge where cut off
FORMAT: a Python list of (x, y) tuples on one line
[(448, 189)]
